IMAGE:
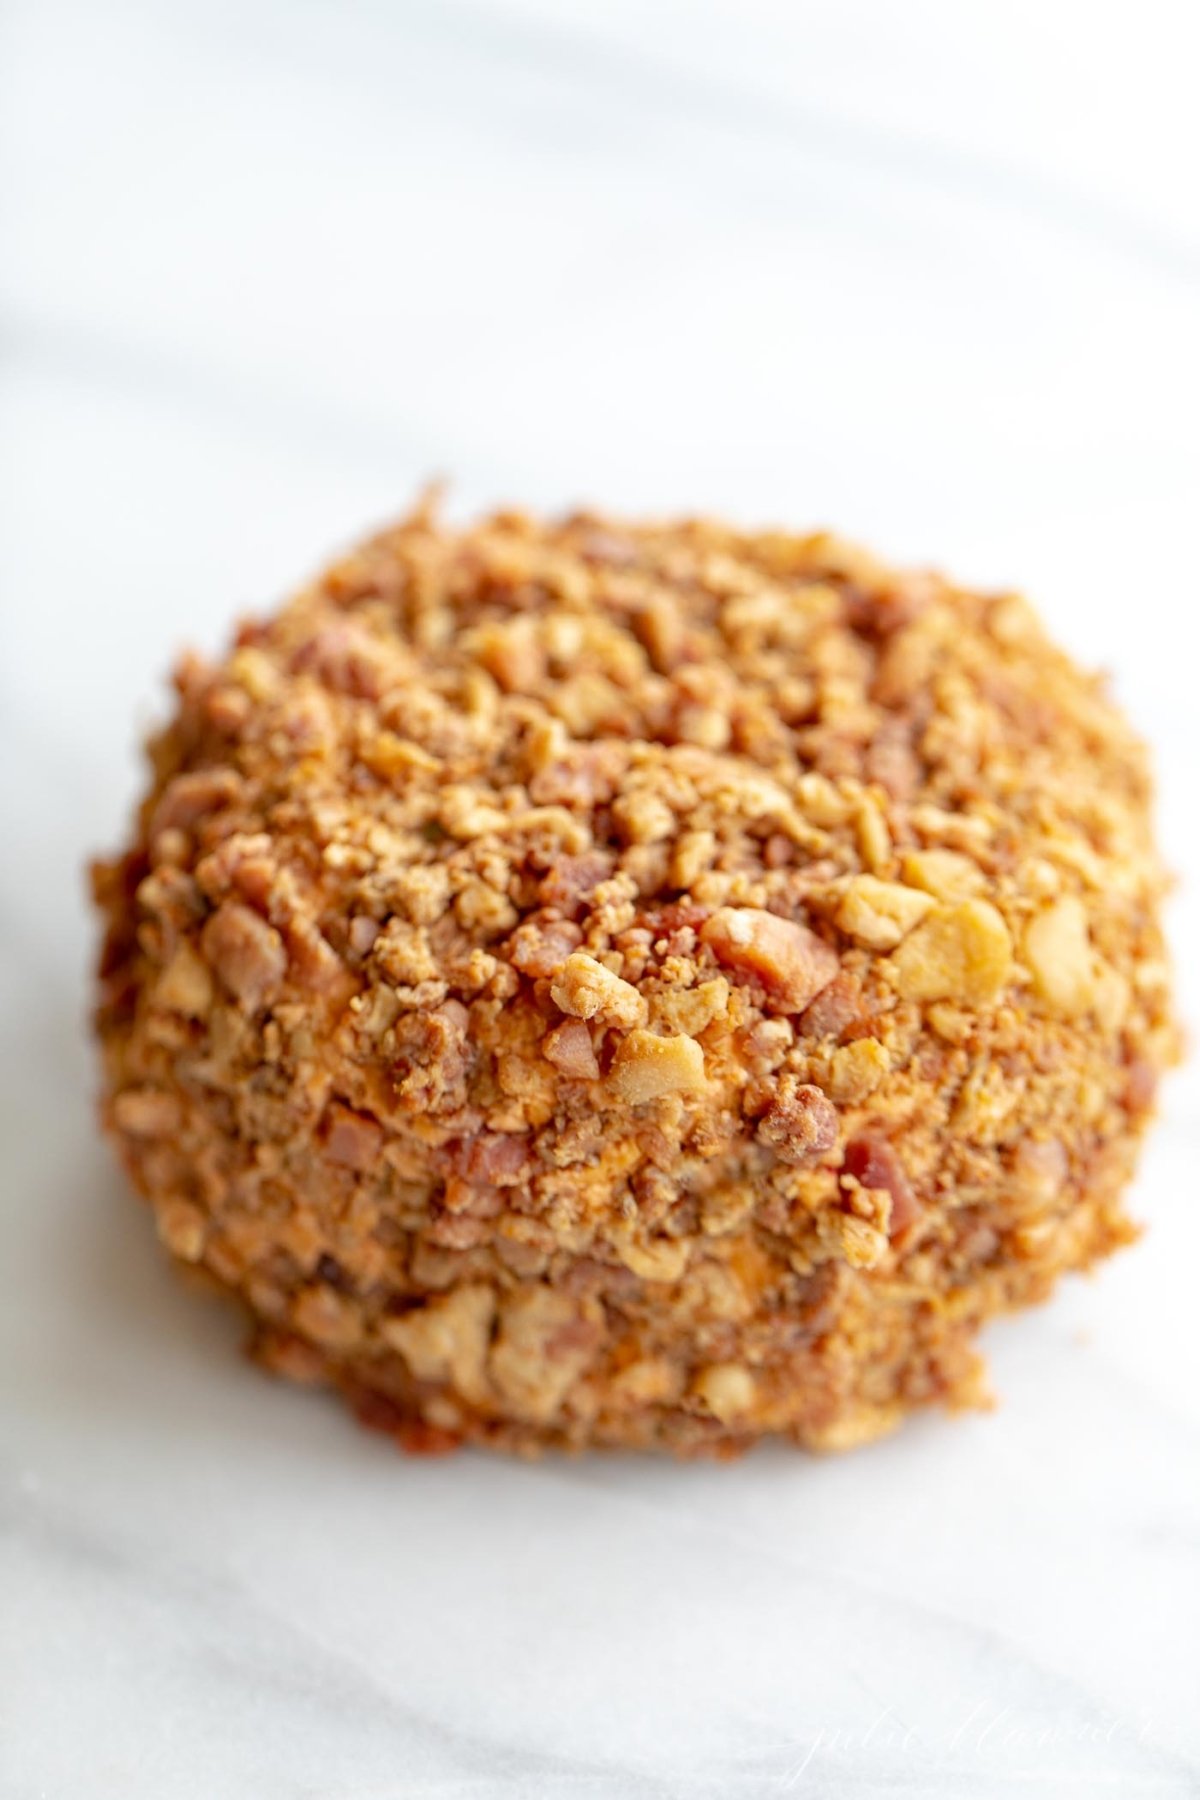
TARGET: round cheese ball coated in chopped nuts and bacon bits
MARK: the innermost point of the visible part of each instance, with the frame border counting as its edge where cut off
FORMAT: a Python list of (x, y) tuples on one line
[(636, 985)]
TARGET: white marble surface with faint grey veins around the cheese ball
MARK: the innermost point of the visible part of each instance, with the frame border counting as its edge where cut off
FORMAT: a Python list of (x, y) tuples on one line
[(926, 273)]
